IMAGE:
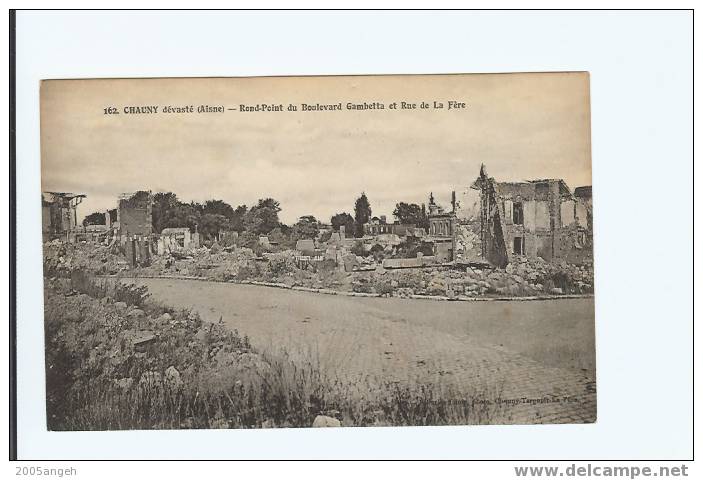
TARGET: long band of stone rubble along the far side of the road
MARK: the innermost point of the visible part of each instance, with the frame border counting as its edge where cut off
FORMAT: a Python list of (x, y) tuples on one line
[(521, 277)]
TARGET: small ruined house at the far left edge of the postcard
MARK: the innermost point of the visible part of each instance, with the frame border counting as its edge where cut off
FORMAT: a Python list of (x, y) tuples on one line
[(59, 216)]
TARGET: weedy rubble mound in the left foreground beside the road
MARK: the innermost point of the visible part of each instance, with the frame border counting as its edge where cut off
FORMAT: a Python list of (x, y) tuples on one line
[(100, 349)]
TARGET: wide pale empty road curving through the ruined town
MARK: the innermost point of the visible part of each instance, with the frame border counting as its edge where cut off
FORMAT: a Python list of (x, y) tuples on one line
[(538, 357)]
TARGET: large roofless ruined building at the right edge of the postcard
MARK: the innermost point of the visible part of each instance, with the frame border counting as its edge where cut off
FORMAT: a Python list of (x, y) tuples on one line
[(536, 218)]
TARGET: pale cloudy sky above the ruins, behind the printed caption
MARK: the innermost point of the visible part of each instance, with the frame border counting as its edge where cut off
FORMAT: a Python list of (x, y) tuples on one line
[(522, 126)]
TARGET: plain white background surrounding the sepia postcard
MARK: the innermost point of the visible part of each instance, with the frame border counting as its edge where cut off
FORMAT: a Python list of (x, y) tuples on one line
[(641, 94)]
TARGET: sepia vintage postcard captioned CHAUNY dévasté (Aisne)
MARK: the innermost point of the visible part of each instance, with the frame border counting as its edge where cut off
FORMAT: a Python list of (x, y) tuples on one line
[(335, 251)]
